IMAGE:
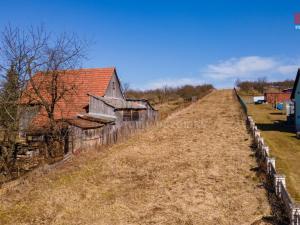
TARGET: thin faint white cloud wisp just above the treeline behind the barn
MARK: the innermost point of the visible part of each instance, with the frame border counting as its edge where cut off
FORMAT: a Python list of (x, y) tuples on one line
[(173, 82)]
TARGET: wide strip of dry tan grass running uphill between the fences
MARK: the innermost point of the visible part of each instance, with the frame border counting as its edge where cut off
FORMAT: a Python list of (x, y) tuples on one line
[(193, 168)]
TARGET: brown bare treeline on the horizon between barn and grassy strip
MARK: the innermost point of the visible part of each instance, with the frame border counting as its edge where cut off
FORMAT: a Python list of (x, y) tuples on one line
[(164, 94)]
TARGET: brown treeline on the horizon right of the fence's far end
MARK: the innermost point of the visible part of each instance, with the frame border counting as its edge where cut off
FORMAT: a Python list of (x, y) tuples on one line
[(261, 85)]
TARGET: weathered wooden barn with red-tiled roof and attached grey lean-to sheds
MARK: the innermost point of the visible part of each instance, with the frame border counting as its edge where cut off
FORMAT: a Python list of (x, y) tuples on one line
[(98, 114)]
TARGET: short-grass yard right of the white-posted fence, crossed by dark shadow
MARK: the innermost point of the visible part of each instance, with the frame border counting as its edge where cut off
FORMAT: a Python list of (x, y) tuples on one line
[(284, 145)]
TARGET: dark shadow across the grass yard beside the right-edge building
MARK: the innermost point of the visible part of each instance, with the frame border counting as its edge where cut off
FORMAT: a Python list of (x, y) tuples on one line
[(279, 125)]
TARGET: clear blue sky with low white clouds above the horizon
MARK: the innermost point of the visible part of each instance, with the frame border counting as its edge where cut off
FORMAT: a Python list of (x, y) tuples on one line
[(155, 43)]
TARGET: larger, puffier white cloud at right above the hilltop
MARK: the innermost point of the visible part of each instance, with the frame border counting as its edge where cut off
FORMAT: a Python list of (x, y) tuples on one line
[(249, 67)]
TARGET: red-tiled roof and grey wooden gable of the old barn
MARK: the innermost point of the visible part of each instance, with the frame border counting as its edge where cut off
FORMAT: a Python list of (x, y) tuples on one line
[(102, 82)]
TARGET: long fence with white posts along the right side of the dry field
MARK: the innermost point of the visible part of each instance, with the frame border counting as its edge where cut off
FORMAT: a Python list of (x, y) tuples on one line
[(291, 208)]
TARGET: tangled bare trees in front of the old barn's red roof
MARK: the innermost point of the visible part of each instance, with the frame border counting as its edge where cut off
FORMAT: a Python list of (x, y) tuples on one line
[(39, 61)]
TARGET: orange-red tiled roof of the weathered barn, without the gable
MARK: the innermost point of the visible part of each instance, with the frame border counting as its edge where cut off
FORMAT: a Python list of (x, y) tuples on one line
[(85, 81)]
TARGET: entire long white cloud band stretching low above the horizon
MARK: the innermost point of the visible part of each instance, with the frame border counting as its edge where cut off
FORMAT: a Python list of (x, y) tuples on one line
[(224, 73)]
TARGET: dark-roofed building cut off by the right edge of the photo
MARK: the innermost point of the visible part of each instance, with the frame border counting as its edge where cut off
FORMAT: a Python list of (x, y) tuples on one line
[(295, 97)]
